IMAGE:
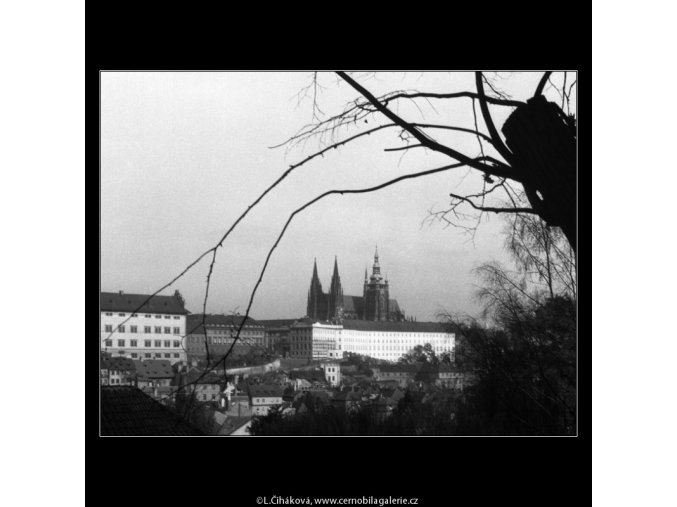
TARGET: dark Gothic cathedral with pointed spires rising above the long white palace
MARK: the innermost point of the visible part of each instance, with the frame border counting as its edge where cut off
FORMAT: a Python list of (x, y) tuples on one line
[(374, 304)]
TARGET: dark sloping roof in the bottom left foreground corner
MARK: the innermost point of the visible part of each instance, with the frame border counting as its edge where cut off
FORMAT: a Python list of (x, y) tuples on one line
[(127, 411)]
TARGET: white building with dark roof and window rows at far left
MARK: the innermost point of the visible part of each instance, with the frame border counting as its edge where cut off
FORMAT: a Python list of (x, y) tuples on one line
[(155, 331)]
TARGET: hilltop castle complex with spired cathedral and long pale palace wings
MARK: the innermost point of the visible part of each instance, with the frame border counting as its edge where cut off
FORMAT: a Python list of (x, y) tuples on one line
[(153, 327)]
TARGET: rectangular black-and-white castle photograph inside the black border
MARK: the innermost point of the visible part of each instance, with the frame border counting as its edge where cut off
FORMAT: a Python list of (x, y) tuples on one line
[(342, 254)]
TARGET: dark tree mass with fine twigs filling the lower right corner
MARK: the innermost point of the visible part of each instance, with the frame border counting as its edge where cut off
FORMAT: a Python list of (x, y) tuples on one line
[(526, 358)]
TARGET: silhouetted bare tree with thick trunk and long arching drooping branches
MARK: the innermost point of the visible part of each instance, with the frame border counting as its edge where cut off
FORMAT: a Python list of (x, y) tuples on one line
[(538, 153)]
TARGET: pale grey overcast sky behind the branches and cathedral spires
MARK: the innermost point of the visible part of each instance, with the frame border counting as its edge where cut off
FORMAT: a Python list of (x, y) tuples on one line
[(183, 154)]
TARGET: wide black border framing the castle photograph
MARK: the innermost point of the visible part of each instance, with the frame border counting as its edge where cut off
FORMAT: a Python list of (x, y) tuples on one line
[(437, 470)]
